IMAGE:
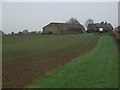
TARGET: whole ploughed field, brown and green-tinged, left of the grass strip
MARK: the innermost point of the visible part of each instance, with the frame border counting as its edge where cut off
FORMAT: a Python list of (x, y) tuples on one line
[(28, 57)]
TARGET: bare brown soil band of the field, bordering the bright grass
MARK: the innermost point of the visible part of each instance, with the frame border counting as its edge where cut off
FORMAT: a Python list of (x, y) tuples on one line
[(23, 72)]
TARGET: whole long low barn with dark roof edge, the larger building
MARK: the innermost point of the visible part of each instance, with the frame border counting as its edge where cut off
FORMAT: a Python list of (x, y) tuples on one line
[(63, 28)]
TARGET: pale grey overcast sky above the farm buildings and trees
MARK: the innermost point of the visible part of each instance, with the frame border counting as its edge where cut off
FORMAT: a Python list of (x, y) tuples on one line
[(18, 16)]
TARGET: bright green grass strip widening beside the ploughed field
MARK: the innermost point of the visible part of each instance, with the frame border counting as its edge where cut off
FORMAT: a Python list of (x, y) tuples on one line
[(96, 69)]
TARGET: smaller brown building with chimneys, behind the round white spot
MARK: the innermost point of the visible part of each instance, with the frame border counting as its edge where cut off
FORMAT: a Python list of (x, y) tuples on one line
[(95, 27)]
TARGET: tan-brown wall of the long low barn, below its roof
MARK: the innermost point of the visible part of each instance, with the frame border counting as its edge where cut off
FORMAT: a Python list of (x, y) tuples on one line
[(61, 29)]
